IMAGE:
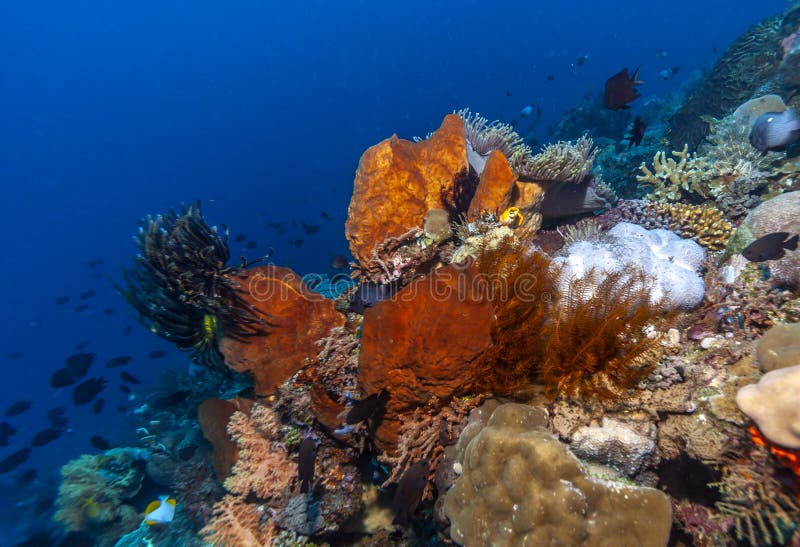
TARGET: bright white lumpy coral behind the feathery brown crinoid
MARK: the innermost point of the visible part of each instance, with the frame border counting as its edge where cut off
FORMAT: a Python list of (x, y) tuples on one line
[(669, 261)]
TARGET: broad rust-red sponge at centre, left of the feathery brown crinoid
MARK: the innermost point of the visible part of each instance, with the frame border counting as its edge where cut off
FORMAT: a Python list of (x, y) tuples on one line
[(424, 343)]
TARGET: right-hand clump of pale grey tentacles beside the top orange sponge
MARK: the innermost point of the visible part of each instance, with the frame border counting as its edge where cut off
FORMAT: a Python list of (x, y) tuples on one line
[(563, 161)]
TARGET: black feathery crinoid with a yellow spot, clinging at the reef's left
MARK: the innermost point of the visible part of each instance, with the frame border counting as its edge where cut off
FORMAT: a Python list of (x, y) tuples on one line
[(182, 288)]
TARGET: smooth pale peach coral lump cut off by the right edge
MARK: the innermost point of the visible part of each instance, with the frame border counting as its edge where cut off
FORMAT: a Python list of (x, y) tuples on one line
[(772, 404)]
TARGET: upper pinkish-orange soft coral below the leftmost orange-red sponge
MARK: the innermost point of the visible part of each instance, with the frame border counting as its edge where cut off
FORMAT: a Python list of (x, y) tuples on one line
[(263, 467)]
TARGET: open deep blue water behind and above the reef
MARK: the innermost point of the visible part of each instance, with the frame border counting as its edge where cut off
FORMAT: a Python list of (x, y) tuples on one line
[(113, 110)]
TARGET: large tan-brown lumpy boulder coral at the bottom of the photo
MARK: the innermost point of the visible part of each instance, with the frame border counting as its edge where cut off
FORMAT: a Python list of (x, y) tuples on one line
[(520, 486)]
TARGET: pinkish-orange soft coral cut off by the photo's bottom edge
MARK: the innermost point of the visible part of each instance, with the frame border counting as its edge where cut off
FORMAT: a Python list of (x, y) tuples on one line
[(236, 522)]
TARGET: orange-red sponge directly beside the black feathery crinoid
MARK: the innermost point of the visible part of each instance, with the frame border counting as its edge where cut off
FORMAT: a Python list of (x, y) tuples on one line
[(300, 317)]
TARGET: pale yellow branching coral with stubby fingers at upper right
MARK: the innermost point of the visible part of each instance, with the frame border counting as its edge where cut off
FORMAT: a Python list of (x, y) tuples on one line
[(672, 178)]
